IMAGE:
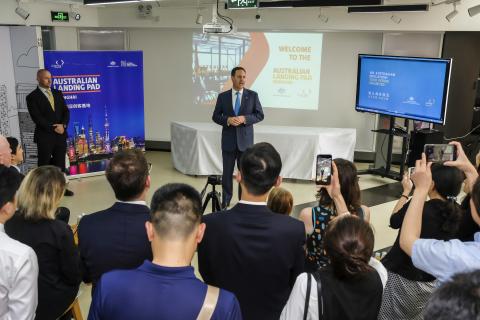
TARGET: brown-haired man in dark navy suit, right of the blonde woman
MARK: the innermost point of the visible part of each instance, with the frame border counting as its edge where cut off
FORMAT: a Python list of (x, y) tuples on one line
[(115, 238)]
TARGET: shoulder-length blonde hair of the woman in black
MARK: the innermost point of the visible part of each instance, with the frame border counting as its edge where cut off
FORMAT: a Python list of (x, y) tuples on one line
[(40, 193)]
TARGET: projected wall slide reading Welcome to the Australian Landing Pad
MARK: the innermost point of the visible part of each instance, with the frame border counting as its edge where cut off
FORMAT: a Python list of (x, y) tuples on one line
[(284, 68)]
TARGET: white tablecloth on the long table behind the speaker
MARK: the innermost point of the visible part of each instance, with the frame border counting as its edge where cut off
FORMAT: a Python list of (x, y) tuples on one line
[(196, 148)]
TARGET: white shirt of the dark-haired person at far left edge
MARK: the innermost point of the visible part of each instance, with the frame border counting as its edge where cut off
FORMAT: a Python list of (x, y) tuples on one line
[(18, 279)]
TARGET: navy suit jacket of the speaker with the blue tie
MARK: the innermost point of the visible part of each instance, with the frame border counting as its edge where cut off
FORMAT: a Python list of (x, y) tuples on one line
[(250, 107)]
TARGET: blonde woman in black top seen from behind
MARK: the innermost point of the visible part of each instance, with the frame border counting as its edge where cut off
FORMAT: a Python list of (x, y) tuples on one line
[(52, 240)]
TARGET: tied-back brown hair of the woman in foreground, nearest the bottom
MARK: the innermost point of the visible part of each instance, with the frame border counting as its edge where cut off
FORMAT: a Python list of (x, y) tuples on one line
[(349, 245)]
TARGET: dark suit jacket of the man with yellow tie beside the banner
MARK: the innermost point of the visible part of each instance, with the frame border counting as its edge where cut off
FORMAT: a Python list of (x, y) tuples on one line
[(44, 117)]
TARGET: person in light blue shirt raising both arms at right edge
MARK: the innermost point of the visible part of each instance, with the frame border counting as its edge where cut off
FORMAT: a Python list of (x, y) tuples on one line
[(441, 259)]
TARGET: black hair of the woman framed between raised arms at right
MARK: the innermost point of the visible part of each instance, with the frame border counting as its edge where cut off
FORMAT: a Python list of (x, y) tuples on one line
[(448, 183)]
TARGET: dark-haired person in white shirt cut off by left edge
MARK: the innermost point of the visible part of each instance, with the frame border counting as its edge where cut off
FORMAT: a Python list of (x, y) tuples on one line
[(18, 262)]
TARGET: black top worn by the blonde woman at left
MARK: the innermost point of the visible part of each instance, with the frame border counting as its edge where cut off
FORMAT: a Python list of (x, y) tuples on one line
[(58, 262)]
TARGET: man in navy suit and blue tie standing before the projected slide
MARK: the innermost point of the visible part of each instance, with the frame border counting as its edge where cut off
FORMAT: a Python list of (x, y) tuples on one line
[(237, 110)]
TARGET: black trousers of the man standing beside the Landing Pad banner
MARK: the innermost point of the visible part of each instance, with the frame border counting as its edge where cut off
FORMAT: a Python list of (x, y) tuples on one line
[(52, 152)]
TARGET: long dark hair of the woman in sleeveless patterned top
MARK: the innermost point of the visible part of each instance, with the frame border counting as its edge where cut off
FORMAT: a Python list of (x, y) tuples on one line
[(347, 174)]
